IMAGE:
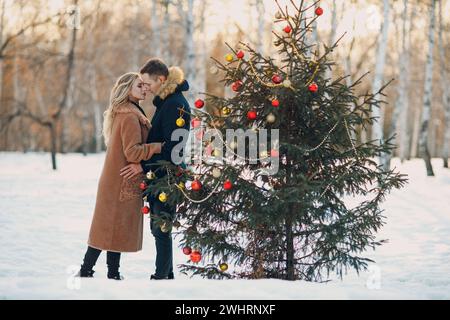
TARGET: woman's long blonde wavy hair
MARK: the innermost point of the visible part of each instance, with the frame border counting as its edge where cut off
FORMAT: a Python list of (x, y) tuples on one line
[(119, 96)]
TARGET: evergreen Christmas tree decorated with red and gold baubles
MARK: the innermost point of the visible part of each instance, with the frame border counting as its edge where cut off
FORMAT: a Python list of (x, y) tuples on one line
[(269, 201)]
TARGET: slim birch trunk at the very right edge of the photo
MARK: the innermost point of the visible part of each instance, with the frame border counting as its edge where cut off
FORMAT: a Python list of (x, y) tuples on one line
[(445, 91)]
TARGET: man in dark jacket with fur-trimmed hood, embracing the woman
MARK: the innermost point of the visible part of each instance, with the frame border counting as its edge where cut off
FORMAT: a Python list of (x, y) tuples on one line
[(168, 85)]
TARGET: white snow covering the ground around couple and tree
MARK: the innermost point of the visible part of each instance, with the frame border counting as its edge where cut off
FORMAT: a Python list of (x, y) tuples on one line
[(45, 218)]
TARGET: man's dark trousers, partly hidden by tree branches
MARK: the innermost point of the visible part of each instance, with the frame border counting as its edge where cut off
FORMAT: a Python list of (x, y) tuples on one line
[(163, 240)]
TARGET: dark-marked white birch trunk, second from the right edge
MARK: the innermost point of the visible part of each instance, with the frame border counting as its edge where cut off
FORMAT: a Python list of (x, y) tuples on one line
[(426, 113)]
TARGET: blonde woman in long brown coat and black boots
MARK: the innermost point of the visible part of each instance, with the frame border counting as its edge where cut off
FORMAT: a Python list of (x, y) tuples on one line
[(118, 222)]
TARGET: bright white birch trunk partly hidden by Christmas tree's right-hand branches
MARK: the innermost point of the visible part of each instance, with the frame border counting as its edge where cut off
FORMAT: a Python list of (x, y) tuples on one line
[(377, 129)]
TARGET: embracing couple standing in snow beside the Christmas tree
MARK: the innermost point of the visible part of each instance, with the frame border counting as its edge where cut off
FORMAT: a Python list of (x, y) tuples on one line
[(134, 146)]
